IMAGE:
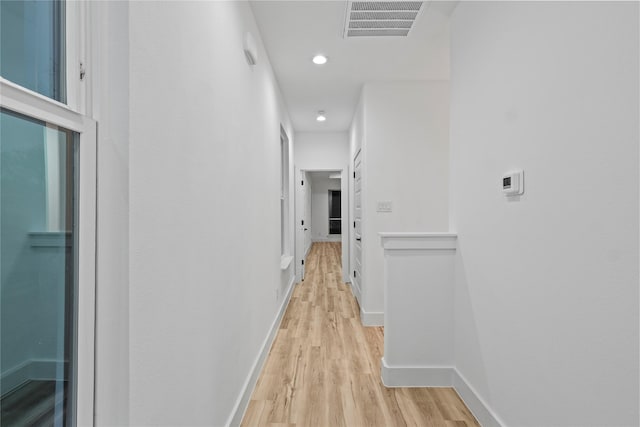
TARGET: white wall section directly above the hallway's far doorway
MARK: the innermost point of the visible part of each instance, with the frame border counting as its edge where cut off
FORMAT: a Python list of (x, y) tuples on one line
[(321, 150)]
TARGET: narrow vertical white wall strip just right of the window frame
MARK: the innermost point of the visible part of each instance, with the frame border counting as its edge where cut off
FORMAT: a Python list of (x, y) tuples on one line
[(108, 81)]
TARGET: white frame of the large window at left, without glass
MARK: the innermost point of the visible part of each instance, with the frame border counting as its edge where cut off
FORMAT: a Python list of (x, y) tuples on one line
[(69, 116)]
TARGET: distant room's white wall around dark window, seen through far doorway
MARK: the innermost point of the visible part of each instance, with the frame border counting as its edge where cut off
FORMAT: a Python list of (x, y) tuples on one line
[(321, 184)]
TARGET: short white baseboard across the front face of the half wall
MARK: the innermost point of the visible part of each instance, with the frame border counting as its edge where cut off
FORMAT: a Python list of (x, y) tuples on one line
[(416, 376)]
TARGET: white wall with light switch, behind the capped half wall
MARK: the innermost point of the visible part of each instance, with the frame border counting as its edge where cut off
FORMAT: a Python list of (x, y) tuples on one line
[(406, 157)]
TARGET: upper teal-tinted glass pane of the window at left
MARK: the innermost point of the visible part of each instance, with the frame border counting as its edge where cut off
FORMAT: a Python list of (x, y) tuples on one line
[(32, 45)]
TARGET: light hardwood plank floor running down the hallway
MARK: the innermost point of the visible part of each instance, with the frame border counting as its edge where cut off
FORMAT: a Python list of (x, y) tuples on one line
[(324, 366)]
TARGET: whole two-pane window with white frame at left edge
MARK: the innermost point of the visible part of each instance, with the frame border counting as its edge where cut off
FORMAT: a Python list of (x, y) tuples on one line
[(47, 220)]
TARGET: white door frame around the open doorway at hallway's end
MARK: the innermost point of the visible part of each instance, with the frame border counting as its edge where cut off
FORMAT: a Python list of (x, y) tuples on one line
[(344, 205)]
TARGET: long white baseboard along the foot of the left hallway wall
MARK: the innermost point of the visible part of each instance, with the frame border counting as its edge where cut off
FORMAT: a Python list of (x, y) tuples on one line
[(235, 419)]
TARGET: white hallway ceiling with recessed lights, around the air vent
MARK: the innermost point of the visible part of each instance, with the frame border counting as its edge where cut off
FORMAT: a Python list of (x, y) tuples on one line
[(294, 31)]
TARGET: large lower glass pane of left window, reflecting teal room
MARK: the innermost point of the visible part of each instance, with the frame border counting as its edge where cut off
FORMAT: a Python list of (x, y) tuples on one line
[(37, 272)]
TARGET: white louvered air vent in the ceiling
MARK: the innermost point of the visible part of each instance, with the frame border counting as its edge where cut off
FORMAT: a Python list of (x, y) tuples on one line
[(381, 18)]
